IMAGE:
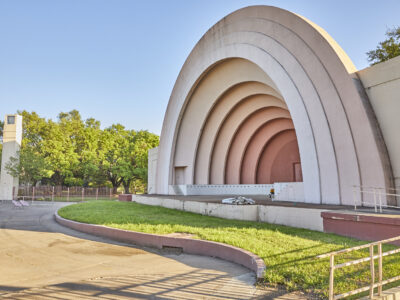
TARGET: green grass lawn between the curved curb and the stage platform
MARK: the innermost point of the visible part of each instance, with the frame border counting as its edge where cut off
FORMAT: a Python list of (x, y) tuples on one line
[(289, 253)]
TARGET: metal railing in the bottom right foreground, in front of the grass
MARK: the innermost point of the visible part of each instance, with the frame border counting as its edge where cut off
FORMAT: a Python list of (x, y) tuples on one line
[(371, 259)]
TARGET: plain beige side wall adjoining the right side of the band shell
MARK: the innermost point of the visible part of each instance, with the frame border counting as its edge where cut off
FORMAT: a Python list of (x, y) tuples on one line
[(382, 85)]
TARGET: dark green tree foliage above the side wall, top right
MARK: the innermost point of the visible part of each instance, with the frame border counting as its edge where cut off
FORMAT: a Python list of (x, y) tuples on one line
[(387, 49)]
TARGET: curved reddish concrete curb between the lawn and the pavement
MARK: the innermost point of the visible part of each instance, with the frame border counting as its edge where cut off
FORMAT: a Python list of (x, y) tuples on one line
[(191, 246)]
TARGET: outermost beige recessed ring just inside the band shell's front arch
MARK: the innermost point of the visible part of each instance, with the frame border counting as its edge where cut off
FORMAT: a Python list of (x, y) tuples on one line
[(203, 99)]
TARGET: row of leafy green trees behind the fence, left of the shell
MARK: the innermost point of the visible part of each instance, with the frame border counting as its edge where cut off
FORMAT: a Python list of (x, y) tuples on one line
[(72, 151)]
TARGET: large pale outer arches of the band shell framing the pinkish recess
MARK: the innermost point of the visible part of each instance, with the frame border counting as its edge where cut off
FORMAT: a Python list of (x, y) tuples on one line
[(299, 62)]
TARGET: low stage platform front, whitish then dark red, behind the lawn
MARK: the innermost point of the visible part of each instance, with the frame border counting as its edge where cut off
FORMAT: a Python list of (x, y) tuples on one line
[(364, 223)]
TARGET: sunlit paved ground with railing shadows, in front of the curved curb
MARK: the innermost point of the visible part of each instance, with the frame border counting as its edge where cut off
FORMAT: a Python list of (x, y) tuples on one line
[(40, 259)]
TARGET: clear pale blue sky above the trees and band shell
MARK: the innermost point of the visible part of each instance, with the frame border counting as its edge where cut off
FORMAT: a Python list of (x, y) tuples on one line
[(117, 60)]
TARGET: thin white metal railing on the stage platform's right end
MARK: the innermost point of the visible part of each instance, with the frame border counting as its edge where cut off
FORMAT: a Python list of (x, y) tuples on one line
[(359, 193)]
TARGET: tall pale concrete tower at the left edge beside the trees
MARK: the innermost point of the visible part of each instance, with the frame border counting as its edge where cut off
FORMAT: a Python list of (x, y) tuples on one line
[(12, 137)]
